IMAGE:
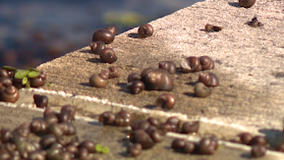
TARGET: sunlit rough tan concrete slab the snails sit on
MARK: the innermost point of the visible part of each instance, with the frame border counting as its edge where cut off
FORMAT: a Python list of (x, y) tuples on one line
[(248, 62)]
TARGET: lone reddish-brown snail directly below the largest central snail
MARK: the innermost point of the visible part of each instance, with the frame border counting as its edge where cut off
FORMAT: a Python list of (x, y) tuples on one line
[(165, 101)]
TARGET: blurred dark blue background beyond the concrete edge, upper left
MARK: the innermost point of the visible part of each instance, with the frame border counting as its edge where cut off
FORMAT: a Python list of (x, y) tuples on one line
[(36, 31)]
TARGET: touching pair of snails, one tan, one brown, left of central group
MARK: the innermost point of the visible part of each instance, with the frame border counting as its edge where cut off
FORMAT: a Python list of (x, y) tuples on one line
[(101, 80)]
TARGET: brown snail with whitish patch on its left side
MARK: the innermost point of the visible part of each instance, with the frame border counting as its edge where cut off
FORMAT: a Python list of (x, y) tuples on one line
[(190, 64)]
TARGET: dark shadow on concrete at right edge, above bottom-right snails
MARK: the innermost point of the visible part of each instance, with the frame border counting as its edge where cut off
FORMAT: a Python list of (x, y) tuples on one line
[(274, 137)]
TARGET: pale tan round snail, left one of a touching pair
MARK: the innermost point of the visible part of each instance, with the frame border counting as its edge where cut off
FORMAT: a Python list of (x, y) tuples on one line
[(99, 80)]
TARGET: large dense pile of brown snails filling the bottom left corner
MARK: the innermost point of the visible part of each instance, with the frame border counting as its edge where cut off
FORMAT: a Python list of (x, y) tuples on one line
[(58, 139)]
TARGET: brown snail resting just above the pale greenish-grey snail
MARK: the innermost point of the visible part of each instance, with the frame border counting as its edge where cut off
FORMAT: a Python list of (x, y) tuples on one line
[(208, 79)]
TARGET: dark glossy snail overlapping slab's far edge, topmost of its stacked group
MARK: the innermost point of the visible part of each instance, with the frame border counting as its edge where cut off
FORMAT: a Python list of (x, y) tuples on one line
[(103, 35)]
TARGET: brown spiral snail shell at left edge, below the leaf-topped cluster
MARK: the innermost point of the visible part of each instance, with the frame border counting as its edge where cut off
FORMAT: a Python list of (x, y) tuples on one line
[(10, 94)]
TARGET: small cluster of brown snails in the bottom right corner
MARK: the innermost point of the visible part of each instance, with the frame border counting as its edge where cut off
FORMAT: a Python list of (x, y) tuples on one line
[(258, 143)]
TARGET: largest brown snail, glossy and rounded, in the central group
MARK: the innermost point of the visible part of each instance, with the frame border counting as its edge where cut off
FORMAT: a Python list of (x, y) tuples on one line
[(157, 79)]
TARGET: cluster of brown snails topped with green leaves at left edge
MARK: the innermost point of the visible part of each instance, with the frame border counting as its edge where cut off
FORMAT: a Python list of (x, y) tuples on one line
[(12, 79)]
